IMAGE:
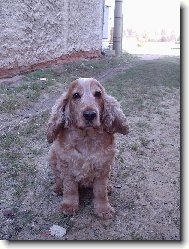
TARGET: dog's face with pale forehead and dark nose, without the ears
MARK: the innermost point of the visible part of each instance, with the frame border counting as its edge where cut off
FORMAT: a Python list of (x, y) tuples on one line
[(86, 103)]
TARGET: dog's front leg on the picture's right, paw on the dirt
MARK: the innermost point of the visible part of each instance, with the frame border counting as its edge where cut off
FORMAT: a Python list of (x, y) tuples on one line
[(101, 203)]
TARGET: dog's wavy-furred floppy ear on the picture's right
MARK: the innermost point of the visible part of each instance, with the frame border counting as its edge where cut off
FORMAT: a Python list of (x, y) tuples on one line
[(113, 118)]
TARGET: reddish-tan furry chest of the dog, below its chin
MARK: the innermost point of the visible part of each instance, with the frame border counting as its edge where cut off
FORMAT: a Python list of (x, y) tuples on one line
[(87, 155)]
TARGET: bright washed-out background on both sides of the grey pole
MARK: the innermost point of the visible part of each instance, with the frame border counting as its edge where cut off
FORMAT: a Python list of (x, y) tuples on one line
[(149, 26)]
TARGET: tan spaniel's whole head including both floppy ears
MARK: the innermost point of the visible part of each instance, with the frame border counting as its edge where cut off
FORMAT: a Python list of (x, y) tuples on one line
[(86, 105)]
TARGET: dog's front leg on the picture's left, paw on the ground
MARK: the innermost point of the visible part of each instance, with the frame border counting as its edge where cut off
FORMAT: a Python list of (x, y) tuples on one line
[(70, 202)]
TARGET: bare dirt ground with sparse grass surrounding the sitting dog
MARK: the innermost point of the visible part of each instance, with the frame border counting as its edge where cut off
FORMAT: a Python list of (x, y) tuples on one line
[(146, 174)]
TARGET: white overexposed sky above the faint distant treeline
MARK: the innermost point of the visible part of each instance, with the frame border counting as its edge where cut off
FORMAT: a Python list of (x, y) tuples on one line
[(152, 15)]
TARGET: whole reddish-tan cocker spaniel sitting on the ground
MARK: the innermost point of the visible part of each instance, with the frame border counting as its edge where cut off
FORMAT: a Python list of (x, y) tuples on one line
[(81, 127)]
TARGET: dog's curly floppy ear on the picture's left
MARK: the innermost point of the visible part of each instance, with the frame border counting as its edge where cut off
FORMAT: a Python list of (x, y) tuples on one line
[(59, 118)]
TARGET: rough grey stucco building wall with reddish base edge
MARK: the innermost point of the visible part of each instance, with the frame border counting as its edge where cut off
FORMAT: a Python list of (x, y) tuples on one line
[(35, 32)]
